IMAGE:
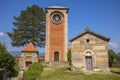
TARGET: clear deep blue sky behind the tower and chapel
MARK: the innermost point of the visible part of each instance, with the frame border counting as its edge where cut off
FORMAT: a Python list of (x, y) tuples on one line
[(101, 16)]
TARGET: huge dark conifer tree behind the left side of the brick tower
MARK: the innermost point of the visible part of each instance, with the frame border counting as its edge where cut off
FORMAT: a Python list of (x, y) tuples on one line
[(29, 27)]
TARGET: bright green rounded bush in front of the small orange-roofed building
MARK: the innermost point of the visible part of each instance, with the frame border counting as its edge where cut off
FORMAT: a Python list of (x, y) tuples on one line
[(33, 72)]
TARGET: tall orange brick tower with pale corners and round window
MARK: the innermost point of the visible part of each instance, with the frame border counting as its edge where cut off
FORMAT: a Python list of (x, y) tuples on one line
[(56, 34)]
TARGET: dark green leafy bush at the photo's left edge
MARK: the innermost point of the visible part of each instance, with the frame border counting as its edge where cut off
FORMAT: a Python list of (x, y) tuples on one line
[(7, 62)]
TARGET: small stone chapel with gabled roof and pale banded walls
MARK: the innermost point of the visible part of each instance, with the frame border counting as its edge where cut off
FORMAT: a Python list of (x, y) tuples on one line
[(89, 52)]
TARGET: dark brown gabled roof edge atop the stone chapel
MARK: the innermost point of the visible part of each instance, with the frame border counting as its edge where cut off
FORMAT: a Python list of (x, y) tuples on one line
[(92, 33)]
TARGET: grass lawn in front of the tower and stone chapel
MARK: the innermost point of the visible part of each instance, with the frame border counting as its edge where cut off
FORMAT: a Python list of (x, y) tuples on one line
[(54, 73)]
